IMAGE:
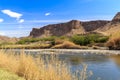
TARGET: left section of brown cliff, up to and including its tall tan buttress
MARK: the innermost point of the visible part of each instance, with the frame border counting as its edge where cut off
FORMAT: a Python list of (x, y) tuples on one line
[(69, 28)]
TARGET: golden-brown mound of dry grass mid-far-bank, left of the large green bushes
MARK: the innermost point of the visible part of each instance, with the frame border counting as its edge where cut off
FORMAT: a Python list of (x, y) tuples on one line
[(67, 45)]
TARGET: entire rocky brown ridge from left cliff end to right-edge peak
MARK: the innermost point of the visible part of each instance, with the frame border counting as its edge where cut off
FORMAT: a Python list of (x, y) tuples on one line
[(78, 27)]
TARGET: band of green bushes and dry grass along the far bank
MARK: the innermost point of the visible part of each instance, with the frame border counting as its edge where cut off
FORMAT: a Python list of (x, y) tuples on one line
[(74, 42)]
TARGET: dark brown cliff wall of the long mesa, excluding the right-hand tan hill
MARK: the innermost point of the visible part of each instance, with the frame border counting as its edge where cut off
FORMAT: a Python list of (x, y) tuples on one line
[(67, 29)]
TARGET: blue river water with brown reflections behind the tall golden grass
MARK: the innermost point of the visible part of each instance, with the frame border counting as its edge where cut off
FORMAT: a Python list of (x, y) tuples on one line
[(104, 67)]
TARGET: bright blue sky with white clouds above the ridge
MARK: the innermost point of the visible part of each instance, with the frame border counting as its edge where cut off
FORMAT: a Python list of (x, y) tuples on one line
[(18, 17)]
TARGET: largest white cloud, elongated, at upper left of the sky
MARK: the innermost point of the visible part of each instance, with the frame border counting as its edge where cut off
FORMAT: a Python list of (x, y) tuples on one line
[(12, 14)]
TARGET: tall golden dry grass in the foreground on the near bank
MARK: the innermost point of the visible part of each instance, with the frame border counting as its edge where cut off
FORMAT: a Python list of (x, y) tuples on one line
[(38, 68)]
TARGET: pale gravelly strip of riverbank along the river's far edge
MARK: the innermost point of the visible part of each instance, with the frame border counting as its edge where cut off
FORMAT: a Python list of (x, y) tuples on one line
[(67, 51)]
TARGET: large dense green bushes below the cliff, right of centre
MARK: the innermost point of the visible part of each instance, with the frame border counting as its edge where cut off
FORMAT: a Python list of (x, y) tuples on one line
[(88, 39)]
